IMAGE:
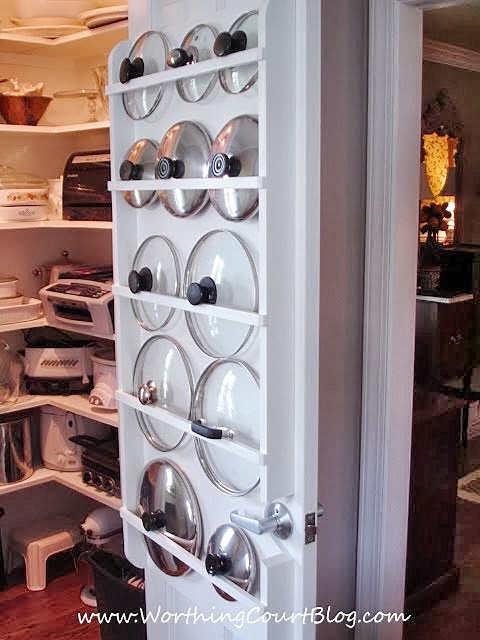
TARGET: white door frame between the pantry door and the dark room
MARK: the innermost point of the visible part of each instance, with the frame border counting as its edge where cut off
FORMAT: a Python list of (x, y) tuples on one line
[(394, 106)]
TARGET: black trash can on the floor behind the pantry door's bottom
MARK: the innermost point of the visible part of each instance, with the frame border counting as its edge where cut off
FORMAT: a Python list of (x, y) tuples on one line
[(117, 597)]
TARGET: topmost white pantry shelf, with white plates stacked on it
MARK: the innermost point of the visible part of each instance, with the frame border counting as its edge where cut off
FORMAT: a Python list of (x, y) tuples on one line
[(83, 44)]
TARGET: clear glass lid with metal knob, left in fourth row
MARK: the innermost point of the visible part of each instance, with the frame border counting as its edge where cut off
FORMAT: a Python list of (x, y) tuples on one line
[(162, 378)]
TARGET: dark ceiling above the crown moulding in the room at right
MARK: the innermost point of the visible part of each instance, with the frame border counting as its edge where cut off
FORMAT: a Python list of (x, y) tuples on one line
[(458, 25)]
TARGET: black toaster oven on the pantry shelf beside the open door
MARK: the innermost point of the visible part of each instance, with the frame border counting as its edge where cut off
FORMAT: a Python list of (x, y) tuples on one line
[(85, 192)]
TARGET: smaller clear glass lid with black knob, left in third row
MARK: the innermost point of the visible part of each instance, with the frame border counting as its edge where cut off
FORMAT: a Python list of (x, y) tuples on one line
[(155, 268)]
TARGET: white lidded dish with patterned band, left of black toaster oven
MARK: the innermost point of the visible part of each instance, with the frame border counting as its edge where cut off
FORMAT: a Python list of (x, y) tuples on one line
[(23, 196)]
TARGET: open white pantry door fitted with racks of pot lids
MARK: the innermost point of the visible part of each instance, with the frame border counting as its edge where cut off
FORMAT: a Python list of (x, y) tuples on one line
[(267, 265)]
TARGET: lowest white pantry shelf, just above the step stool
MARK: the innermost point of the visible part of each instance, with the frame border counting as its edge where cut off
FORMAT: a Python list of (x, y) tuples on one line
[(70, 479)]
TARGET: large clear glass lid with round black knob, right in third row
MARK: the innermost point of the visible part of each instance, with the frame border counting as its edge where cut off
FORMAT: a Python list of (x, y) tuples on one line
[(220, 270)]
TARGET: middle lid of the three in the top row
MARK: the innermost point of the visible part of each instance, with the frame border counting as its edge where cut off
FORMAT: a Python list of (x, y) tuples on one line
[(196, 46)]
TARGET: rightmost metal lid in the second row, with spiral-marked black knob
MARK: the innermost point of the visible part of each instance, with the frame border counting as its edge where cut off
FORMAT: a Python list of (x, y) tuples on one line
[(234, 152)]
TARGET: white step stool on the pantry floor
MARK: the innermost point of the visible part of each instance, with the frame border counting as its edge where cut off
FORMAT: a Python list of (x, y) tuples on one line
[(37, 541)]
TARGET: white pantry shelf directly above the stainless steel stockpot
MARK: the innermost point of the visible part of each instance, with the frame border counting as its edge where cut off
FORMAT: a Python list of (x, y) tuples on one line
[(77, 404)]
